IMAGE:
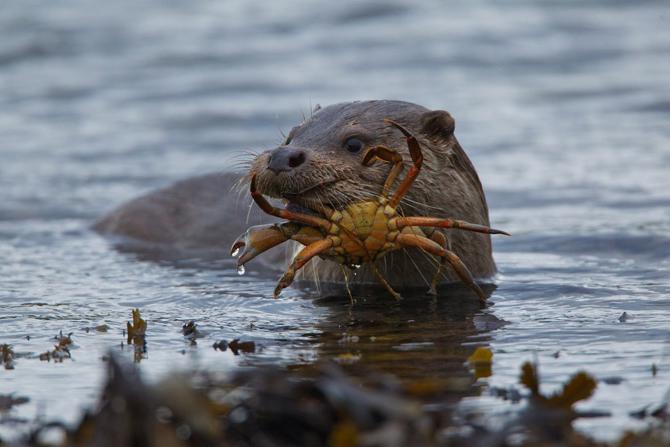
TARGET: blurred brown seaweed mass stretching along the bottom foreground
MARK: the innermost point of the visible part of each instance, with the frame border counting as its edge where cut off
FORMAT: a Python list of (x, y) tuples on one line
[(276, 407)]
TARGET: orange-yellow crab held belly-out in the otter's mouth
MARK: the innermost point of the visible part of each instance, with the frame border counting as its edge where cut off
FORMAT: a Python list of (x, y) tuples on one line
[(363, 231)]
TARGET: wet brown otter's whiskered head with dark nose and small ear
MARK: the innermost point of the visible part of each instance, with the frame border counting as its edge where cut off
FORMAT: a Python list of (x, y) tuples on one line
[(321, 159)]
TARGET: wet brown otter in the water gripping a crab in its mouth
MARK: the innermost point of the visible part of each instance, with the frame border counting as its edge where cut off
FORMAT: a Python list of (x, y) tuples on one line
[(320, 162)]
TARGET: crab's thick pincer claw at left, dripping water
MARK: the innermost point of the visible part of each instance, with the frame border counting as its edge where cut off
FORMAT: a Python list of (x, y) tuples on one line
[(260, 238)]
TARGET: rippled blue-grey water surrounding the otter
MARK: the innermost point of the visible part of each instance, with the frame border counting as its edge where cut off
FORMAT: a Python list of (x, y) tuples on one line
[(562, 106)]
